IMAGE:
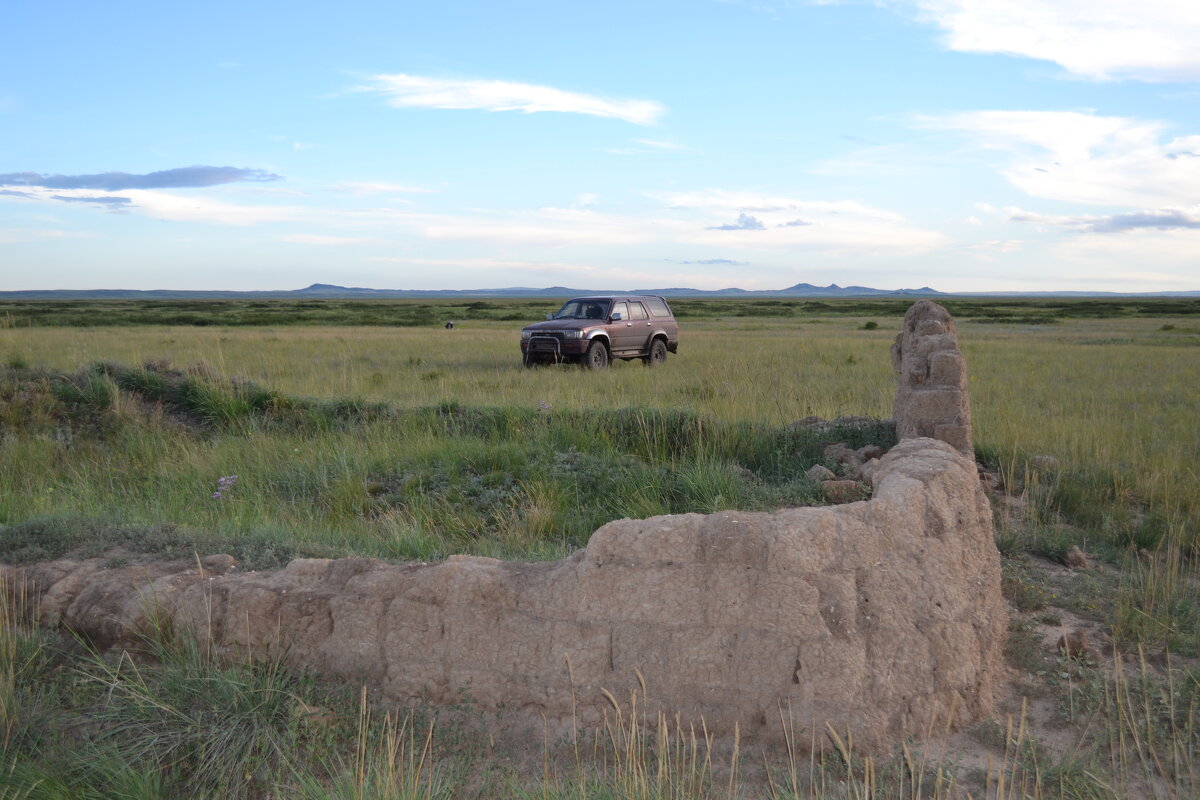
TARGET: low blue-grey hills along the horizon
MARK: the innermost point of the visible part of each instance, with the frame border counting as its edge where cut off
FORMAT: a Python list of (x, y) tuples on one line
[(332, 292)]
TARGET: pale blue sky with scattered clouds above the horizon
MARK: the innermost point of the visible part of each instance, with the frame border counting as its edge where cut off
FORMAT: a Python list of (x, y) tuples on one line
[(965, 146)]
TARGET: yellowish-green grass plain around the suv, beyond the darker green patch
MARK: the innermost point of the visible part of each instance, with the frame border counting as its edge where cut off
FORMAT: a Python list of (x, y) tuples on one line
[(1114, 401)]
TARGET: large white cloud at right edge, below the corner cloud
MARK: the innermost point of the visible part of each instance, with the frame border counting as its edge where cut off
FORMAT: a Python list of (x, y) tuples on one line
[(1079, 158)]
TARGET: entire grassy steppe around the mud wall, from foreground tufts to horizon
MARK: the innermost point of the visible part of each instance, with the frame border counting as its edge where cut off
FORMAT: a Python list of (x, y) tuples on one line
[(415, 442)]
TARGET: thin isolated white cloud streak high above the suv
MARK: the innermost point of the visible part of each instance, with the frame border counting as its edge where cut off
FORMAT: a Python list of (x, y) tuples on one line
[(418, 92)]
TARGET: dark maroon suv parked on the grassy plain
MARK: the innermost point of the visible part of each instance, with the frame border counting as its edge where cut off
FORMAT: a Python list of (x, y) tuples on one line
[(595, 330)]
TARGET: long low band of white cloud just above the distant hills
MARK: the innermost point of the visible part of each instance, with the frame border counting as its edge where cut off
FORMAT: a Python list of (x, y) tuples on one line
[(770, 224)]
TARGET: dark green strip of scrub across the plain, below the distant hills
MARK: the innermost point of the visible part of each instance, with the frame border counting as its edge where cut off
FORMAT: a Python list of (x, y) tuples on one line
[(412, 314)]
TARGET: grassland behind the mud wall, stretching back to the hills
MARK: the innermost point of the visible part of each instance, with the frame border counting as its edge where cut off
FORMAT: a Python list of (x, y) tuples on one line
[(369, 429)]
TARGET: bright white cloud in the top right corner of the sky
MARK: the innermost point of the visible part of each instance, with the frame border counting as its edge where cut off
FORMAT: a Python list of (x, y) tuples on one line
[(1101, 40)]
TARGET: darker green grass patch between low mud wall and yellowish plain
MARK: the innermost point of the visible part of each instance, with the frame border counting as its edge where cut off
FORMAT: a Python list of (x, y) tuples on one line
[(140, 461)]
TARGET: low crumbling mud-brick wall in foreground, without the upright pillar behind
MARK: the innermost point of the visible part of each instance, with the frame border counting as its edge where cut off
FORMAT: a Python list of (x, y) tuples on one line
[(883, 617)]
